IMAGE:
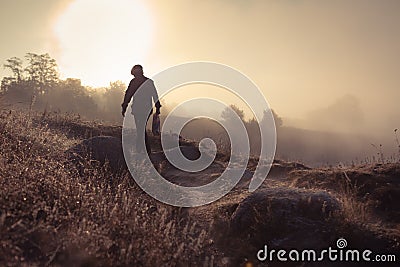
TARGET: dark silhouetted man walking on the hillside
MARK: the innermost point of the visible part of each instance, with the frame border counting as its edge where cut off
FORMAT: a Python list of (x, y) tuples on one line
[(142, 106)]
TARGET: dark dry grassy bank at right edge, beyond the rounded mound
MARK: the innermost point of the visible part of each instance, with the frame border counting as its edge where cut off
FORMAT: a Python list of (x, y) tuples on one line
[(367, 193)]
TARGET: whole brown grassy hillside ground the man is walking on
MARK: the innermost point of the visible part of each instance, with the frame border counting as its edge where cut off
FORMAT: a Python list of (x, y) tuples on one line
[(55, 212)]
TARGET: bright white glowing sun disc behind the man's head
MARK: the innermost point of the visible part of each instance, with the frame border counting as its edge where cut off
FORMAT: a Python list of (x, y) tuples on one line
[(99, 41)]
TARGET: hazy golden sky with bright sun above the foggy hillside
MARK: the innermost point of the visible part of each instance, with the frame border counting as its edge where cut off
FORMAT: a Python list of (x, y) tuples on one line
[(335, 62)]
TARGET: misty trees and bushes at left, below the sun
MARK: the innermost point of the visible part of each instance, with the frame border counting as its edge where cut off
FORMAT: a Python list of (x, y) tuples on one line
[(35, 81)]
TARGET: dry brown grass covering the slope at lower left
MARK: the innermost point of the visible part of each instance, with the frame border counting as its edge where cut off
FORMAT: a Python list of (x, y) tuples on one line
[(49, 215)]
